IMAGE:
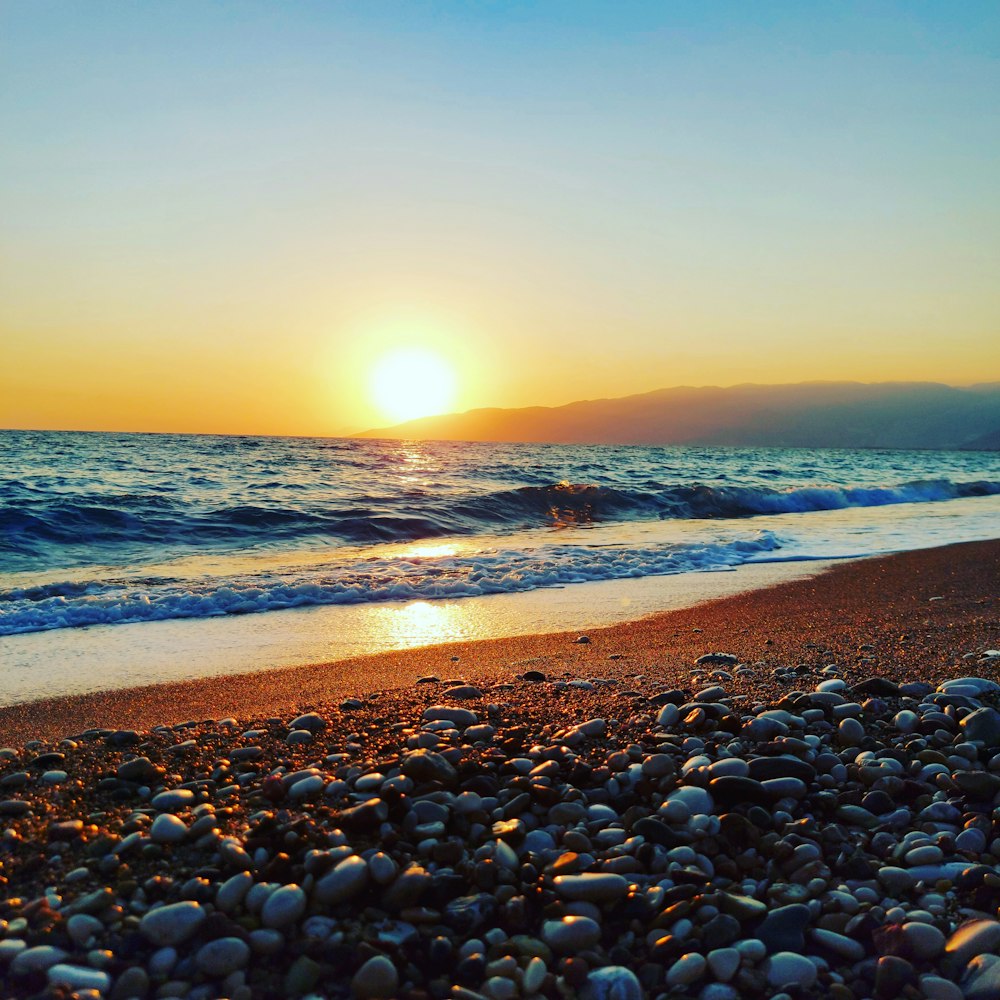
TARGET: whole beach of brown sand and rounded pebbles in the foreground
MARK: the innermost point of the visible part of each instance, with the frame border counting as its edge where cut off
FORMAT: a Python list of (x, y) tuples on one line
[(788, 793)]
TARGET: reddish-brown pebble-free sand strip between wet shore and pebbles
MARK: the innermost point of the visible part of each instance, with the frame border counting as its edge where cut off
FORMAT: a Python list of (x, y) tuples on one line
[(771, 624)]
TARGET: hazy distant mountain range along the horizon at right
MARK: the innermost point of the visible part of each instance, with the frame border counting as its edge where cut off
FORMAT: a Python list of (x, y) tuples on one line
[(805, 414)]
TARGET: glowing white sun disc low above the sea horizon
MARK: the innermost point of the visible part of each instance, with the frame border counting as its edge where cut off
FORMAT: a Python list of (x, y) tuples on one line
[(412, 382)]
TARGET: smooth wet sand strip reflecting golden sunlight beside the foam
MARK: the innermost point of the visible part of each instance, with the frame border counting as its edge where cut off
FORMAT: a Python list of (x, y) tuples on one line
[(189, 649)]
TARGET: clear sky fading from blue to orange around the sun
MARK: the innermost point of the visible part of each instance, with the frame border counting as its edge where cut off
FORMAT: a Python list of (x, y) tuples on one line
[(216, 217)]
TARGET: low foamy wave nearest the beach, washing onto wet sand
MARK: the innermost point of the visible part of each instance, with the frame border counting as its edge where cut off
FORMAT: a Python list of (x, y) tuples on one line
[(111, 602)]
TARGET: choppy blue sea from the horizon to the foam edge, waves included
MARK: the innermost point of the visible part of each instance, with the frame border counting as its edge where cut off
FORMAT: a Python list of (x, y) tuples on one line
[(115, 528)]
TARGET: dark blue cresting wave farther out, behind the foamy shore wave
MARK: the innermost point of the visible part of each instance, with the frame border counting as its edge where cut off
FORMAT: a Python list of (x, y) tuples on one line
[(120, 528)]
